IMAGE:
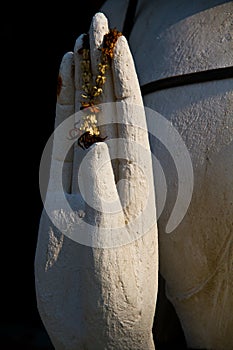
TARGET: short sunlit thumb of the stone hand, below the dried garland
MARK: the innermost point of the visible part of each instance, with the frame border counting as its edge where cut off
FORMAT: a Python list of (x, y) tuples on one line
[(97, 186)]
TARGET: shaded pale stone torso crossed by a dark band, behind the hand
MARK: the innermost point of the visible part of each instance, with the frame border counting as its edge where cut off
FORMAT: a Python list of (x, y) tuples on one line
[(196, 260)]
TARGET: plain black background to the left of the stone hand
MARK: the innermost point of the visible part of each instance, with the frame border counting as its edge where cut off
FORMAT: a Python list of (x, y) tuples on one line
[(33, 40)]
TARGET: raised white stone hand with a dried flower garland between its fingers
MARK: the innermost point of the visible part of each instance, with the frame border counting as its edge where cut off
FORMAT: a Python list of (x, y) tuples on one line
[(96, 260)]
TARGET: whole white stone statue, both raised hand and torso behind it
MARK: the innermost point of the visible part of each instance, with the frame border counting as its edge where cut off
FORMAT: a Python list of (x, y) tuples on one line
[(97, 283)]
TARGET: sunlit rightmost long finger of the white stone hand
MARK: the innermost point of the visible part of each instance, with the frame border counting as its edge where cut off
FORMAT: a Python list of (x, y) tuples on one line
[(135, 165)]
